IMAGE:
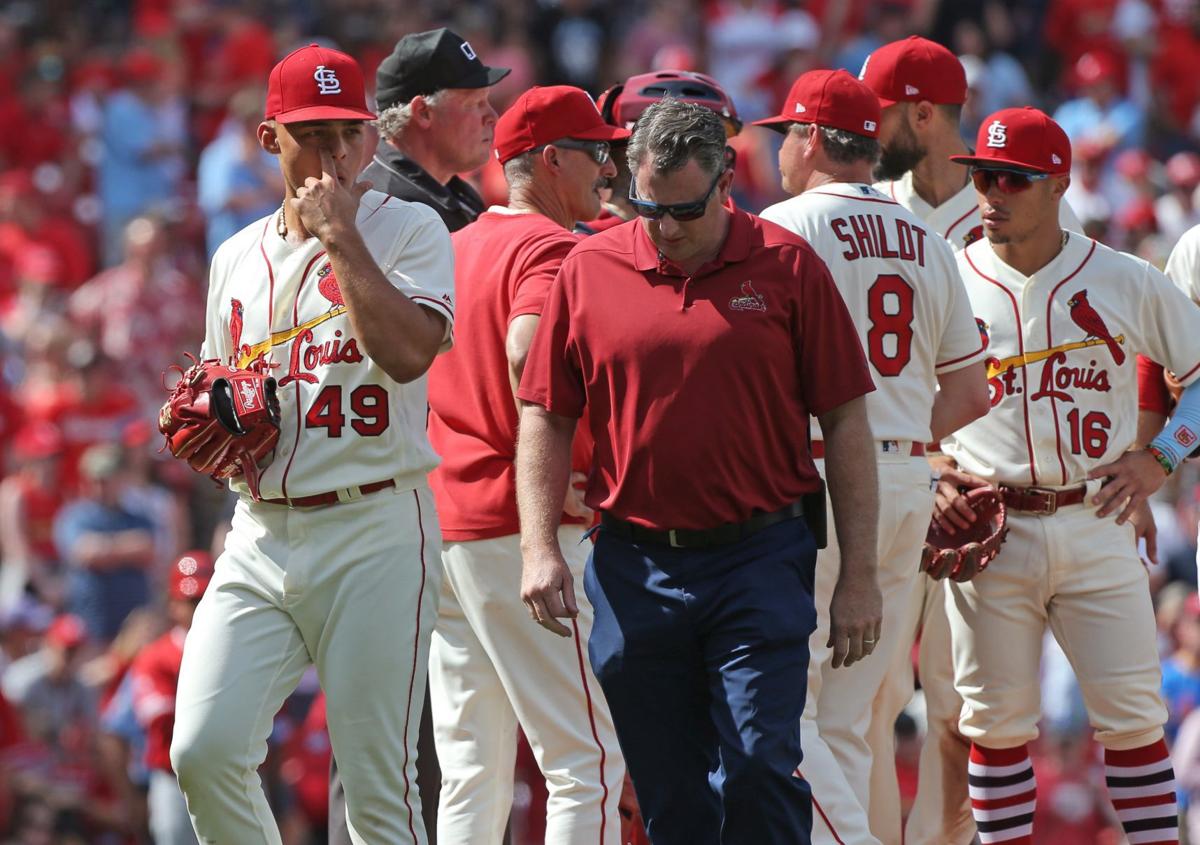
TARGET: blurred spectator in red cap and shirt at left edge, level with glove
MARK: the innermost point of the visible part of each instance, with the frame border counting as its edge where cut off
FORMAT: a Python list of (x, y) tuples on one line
[(31, 499)]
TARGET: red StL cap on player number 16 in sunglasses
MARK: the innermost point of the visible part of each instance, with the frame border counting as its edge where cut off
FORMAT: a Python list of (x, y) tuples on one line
[(1021, 137)]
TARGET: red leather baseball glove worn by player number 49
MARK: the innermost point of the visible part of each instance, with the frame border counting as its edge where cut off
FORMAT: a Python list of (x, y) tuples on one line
[(223, 421)]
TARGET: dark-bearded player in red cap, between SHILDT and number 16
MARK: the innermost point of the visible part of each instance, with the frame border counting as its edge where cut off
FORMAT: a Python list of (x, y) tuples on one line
[(922, 88)]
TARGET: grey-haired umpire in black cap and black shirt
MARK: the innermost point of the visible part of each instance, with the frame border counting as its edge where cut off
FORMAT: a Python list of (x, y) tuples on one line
[(435, 123)]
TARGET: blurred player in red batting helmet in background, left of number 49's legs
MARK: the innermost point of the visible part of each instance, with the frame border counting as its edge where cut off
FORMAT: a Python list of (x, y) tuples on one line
[(155, 679)]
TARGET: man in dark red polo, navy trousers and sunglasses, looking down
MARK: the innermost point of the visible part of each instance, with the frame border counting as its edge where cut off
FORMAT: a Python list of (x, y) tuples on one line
[(699, 340)]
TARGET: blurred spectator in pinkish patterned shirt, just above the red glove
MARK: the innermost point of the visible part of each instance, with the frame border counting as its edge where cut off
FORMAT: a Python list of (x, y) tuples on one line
[(142, 314)]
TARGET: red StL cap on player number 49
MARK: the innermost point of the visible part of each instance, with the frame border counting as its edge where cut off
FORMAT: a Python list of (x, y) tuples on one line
[(316, 83)]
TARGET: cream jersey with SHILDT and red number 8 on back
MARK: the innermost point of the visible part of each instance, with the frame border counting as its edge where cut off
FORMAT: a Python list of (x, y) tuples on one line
[(903, 290)]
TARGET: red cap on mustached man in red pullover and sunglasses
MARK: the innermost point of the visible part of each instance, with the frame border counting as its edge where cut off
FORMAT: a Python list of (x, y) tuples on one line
[(549, 113)]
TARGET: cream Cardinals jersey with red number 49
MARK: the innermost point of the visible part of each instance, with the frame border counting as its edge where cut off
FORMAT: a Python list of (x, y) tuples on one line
[(279, 309)]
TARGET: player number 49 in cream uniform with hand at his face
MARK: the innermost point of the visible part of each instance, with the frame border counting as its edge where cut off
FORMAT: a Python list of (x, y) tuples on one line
[(345, 297)]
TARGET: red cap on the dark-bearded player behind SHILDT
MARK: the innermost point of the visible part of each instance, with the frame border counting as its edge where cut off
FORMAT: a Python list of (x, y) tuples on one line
[(913, 70)]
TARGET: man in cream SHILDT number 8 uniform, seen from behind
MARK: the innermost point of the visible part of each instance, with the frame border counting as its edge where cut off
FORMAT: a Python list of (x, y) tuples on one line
[(903, 289)]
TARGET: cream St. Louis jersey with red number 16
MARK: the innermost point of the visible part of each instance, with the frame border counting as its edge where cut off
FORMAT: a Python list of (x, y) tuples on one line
[(1063, 368)]
